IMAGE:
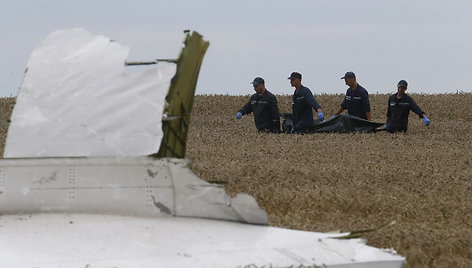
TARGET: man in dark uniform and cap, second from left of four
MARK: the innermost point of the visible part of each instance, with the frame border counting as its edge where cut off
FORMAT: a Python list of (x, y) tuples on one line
[(302, 103)]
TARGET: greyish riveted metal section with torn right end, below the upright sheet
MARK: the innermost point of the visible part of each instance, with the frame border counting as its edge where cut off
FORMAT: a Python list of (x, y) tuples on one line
[(142, 186)]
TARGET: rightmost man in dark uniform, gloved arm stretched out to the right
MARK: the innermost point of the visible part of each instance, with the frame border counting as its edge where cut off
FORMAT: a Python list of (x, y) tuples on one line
[(399, 106)]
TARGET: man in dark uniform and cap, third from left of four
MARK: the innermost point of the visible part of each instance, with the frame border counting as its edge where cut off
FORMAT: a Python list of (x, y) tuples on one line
[(356, 100)]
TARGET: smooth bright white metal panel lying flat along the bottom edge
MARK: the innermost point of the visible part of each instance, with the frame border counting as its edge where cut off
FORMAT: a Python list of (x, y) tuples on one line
[(85, 240)]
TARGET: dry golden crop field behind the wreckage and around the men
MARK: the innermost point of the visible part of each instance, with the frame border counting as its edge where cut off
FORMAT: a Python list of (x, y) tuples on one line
[(325, 182)]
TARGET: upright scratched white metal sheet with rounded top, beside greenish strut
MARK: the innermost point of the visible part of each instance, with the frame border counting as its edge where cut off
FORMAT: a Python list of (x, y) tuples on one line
[(76, 100)]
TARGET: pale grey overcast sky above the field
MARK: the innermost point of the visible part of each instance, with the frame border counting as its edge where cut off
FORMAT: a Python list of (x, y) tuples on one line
[(426, 42)]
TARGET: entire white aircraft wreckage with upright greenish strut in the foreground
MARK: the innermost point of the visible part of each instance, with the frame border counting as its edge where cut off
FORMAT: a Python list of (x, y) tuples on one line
[(94, 173)]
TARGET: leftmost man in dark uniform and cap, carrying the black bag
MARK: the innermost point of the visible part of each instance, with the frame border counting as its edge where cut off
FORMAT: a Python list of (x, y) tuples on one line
[(264, 106)]
